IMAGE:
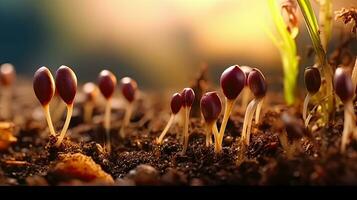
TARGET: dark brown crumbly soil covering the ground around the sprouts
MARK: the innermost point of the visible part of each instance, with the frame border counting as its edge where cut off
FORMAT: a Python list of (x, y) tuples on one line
[(138, 160)]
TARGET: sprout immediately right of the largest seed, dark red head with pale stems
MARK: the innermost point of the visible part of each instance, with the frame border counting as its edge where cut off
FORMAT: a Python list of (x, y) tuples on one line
[(258, 87)]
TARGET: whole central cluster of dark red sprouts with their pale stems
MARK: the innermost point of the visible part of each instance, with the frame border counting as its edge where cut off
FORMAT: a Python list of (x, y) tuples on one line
[(232, 80)]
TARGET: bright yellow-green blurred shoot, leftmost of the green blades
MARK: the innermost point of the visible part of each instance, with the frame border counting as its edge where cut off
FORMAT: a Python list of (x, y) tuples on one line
[(285, 42)]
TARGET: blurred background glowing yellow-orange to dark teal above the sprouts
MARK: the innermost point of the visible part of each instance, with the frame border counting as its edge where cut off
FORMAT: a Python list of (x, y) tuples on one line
[(161, 42)]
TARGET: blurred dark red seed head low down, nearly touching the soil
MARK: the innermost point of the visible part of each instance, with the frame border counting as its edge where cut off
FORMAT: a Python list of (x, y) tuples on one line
[(294, 128)]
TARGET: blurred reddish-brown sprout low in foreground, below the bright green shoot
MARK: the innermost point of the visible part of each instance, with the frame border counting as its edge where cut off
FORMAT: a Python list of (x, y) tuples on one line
[(290, 139)]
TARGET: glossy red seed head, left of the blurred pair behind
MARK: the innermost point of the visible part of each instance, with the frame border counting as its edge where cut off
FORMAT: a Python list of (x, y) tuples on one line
[(107, 83)]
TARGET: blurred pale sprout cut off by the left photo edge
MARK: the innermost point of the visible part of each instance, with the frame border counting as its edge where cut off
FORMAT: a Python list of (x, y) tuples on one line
[(7, 78)]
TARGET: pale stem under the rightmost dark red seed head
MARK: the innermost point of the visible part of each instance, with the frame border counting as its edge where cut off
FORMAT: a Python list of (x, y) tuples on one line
[(349, 125)]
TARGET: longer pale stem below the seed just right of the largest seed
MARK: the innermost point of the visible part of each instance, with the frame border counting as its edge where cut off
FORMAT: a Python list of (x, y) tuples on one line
[(249, 113)]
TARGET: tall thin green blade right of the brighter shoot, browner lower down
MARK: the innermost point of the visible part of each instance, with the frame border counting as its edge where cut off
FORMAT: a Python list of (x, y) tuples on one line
[(313, 29)]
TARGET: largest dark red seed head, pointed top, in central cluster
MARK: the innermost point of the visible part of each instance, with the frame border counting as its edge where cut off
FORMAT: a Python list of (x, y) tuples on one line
[(232, 82)]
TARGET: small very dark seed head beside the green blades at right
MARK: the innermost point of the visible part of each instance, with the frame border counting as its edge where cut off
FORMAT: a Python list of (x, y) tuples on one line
[(312, 80)]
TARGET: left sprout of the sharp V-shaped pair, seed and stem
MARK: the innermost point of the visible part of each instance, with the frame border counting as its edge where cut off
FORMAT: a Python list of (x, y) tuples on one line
[(44, 88)]
